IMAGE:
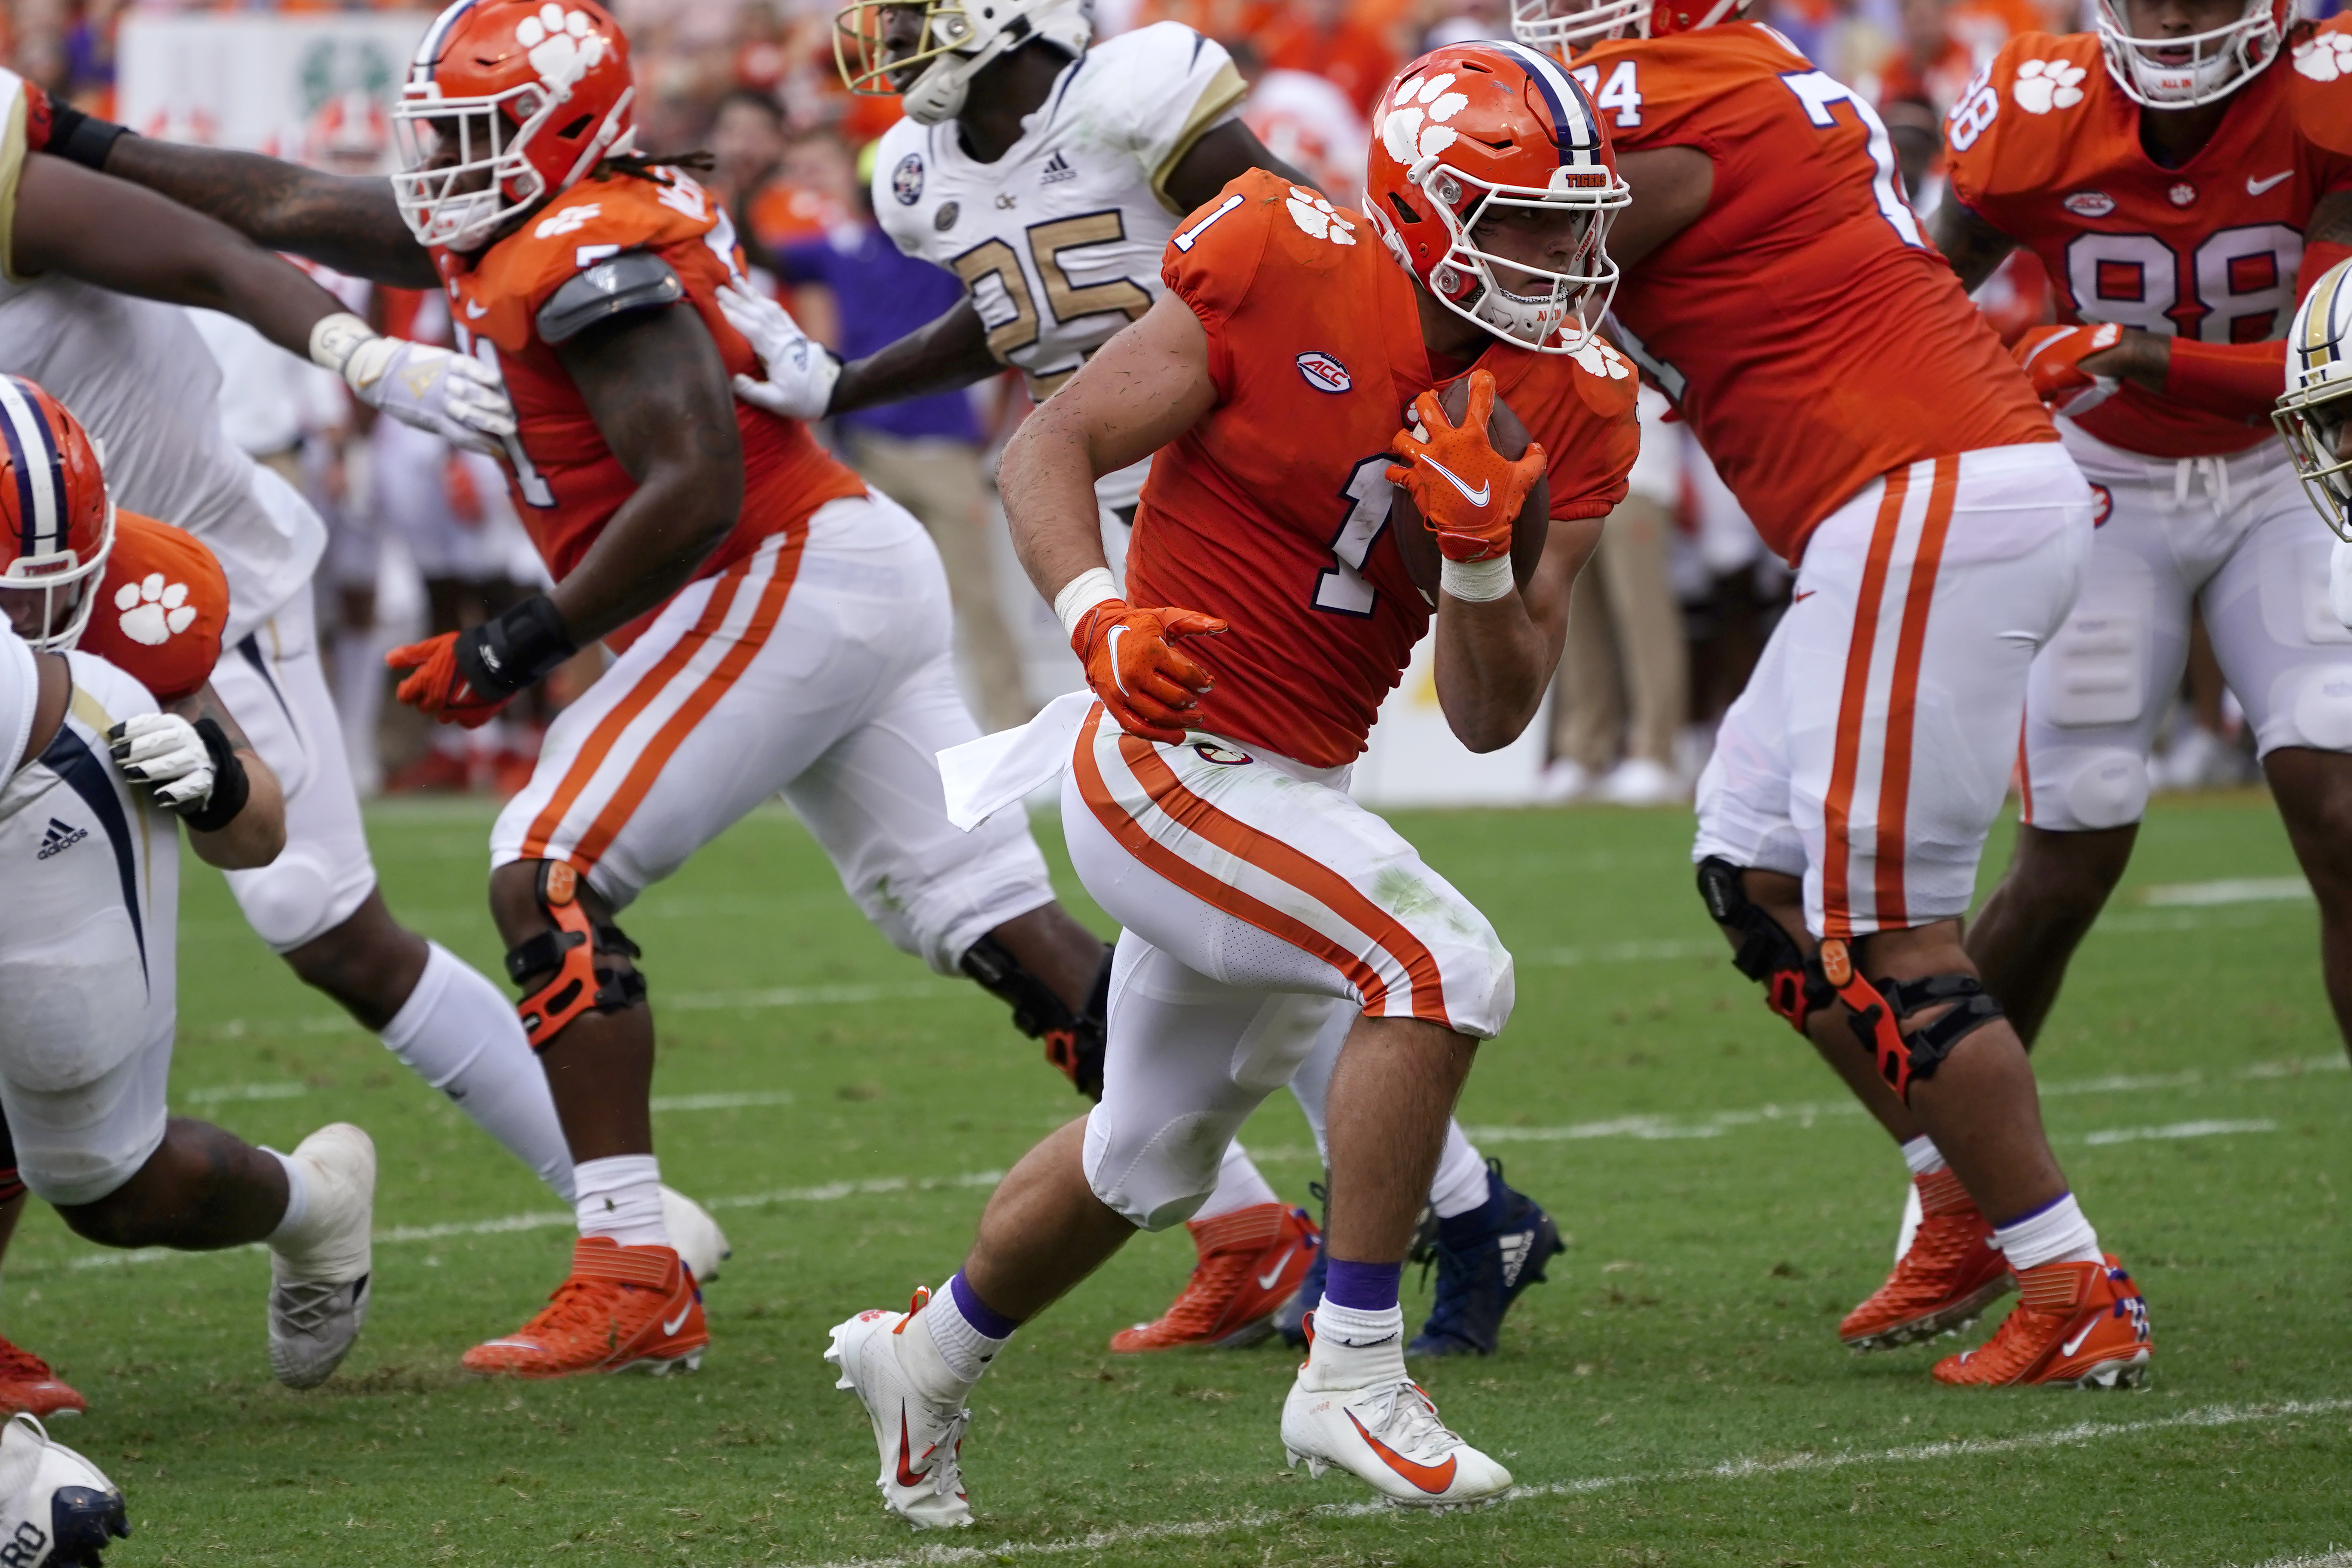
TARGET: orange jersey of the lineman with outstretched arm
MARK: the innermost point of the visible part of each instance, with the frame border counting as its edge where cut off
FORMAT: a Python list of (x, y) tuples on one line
[(570, 483)]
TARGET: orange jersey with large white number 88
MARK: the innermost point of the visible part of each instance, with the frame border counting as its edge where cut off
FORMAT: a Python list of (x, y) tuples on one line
[(2047, 149)]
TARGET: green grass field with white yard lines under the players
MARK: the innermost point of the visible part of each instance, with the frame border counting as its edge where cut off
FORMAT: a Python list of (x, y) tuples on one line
[(1673, 1395)]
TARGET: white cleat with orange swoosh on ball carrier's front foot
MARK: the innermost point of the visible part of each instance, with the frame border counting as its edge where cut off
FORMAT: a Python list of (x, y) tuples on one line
[(1391, 1438)]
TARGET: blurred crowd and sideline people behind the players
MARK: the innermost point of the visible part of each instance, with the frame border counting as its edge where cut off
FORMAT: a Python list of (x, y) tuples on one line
[(1666, 622)]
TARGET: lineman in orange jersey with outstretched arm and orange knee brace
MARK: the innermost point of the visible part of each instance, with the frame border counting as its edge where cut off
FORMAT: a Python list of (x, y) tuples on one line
[(777, 626)]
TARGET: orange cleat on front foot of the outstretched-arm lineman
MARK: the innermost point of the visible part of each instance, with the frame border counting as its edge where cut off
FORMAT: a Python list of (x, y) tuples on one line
[(624, 1308)]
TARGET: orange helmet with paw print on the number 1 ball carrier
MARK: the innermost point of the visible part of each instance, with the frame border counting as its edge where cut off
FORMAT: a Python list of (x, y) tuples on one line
[(1474, 138)]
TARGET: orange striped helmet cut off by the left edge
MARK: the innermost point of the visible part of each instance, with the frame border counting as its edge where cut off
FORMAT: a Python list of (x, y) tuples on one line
[(58, 516)]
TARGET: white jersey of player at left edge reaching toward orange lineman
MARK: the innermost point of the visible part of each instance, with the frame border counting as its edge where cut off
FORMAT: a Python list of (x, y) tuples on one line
[(142, 382)]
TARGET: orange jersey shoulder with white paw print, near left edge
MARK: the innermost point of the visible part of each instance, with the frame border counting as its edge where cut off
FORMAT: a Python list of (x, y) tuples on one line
[(161, 608)]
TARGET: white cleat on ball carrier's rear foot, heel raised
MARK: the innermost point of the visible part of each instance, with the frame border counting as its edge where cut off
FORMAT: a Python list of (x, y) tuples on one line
[(918, 1438)]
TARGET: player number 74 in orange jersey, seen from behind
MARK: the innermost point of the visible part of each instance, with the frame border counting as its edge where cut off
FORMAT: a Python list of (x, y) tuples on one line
[(1899, 462)]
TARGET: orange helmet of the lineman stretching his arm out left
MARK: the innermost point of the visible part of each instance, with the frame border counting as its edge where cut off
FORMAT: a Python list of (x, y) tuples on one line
[(507, 105)]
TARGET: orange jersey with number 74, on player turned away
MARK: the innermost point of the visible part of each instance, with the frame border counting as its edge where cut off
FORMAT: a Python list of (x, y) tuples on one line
[(1803, 323)]
